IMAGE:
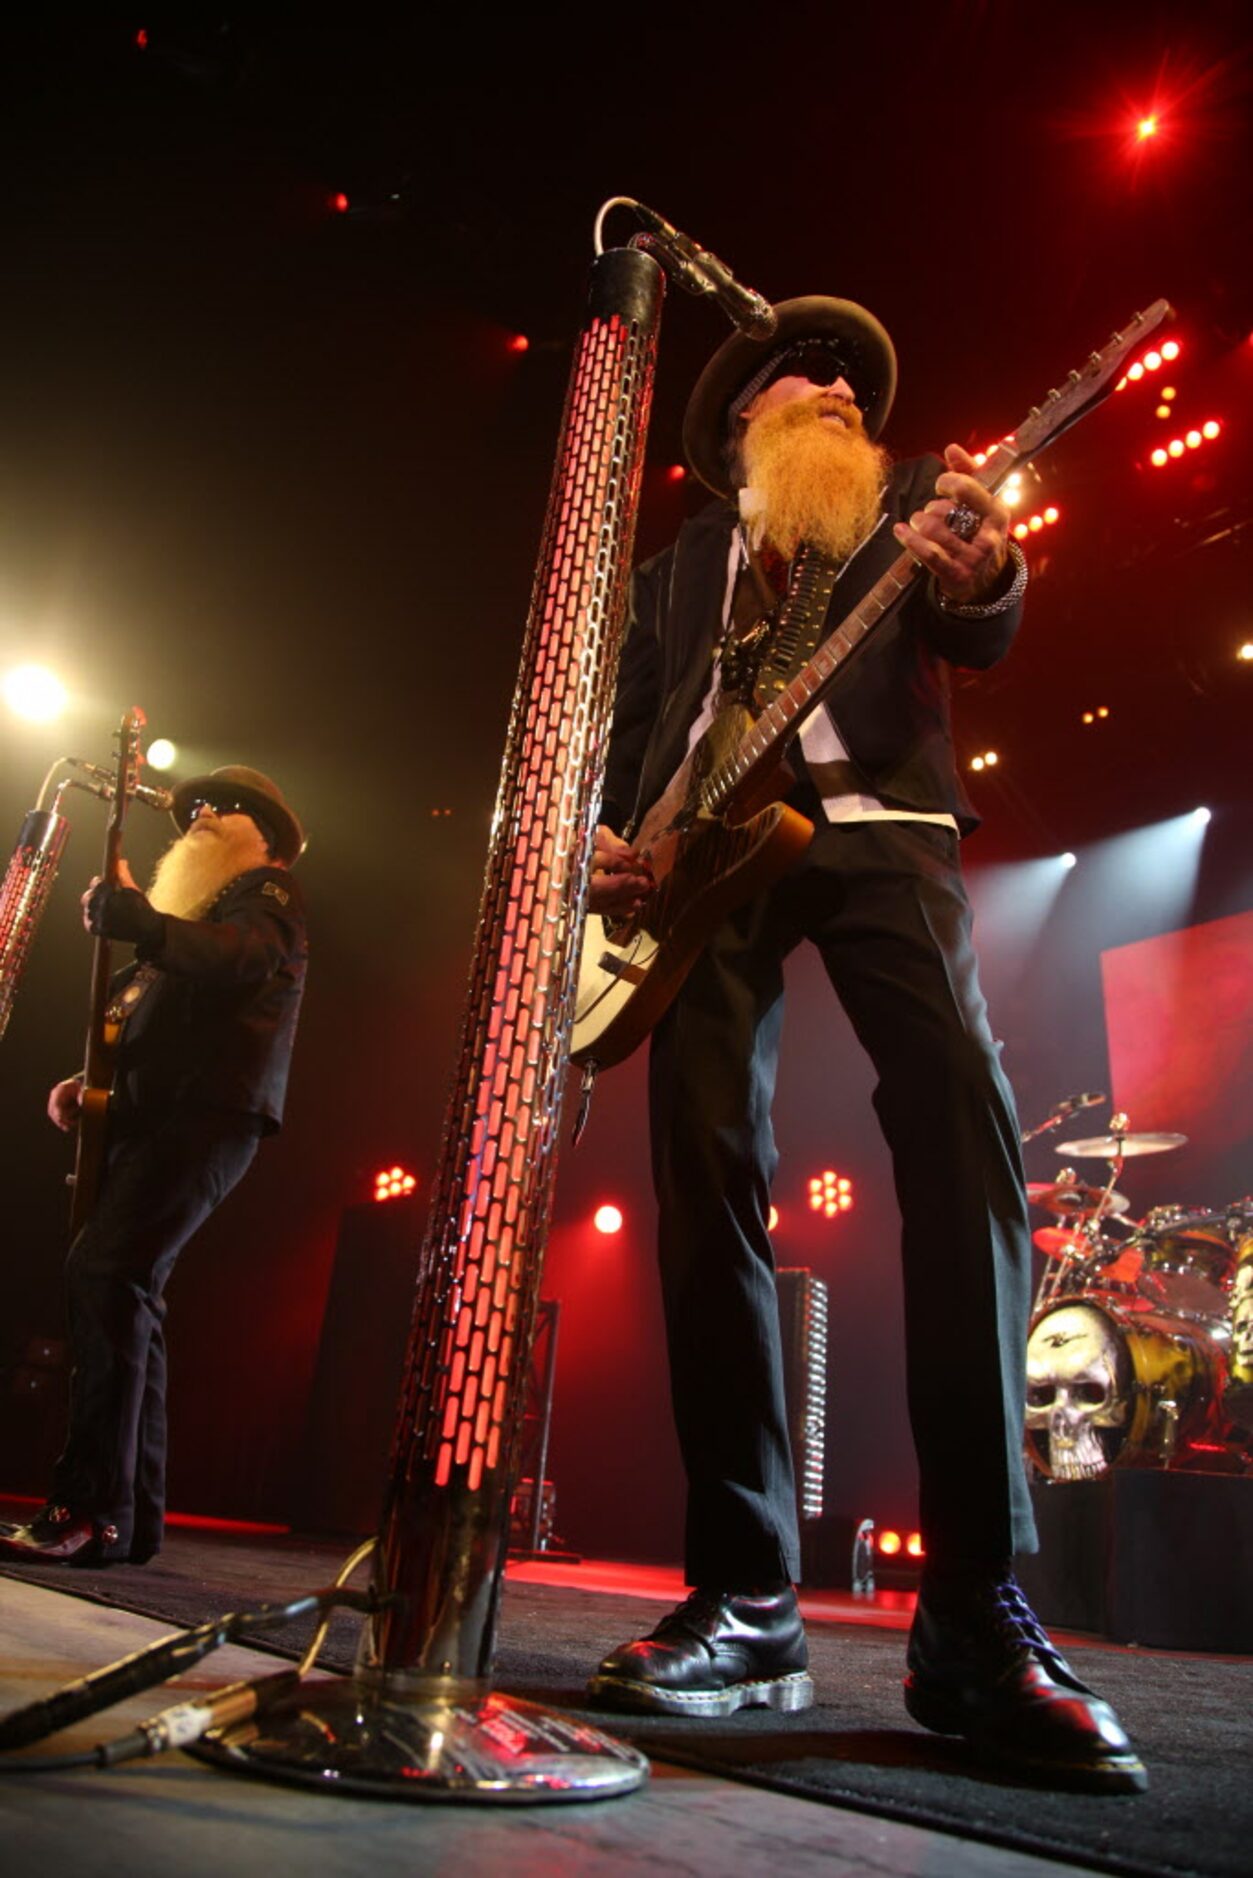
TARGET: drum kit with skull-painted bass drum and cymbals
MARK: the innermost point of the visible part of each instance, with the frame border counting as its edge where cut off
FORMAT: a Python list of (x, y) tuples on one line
[(1141, 1344)]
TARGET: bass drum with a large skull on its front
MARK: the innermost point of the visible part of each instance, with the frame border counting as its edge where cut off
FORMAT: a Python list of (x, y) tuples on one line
[(1117, 1385)]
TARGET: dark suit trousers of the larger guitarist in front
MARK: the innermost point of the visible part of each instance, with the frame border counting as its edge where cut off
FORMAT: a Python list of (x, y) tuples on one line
[(888, 910)]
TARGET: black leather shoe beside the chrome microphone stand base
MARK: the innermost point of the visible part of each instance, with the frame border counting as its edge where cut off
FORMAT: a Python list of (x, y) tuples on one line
[(717, 1654)]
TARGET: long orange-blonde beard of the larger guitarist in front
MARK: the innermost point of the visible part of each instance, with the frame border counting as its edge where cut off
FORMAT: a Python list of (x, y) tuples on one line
[(812, 480)]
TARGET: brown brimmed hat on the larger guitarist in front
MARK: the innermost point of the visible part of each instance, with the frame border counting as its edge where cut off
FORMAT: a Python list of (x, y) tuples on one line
[(743, 365)]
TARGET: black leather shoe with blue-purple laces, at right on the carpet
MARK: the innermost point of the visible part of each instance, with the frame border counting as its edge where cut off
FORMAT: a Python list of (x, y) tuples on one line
[(982, 1667)]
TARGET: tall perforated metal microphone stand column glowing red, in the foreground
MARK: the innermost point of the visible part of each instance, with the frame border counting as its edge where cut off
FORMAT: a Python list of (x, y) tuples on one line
[(463, 1396)]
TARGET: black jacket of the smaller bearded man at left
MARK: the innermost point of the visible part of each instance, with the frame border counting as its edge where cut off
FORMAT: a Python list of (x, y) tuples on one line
[(217, 1024)]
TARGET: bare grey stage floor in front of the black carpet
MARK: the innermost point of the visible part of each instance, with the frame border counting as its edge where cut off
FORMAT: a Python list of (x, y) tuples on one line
[(178, 1815)]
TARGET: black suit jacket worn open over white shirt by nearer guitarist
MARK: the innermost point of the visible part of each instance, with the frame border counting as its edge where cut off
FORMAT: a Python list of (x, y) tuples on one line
[(891, 703)]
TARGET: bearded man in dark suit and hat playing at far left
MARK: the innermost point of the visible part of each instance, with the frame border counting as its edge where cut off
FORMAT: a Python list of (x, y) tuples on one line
[(208, 1019)]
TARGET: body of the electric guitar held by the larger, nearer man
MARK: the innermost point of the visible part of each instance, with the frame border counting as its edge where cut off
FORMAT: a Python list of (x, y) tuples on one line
[(704, 867)]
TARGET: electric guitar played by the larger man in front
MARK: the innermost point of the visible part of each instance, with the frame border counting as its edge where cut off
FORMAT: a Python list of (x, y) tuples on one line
[(719, 833)]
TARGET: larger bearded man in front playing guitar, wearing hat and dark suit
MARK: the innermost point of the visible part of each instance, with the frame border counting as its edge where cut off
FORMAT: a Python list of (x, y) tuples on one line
[(784, 433)]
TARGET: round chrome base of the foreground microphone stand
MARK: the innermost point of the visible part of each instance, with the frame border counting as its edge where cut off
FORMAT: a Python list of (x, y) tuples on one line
[(348, 1740)]
